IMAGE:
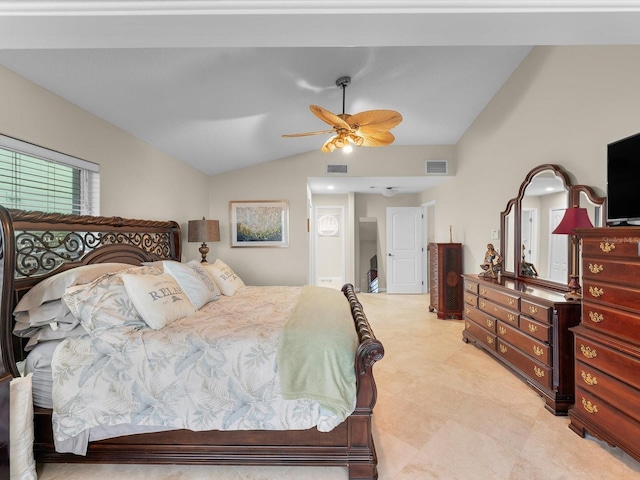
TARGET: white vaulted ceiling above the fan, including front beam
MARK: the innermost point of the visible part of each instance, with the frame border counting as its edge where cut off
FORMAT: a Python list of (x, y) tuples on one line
[(216, 83)]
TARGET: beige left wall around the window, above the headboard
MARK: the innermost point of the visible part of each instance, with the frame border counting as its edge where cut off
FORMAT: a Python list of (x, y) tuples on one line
[(137, 180)]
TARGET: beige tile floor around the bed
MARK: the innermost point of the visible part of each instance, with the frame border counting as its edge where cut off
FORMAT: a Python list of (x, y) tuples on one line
[(470, 418)]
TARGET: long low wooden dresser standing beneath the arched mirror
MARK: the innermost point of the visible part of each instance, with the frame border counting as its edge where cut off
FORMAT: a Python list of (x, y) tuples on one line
[(525, 328)]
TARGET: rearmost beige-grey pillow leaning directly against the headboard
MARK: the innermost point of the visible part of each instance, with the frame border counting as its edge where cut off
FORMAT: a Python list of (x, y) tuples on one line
[(53, 288)]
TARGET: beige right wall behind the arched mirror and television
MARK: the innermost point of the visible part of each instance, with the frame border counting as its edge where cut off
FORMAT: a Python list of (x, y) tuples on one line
[(563, 105)]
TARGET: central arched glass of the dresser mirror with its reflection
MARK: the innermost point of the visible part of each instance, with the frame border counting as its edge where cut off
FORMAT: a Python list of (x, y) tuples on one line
[(543, 255)]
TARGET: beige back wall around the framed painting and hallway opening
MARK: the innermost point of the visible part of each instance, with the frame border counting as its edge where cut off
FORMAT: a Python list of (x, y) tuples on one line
[(286, 179)]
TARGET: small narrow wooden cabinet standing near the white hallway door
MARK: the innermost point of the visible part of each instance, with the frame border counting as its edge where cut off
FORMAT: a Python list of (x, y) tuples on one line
[(445, 282)]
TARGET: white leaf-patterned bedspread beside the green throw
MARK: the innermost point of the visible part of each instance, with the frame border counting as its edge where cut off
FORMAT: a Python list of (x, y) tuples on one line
[(215, 370)]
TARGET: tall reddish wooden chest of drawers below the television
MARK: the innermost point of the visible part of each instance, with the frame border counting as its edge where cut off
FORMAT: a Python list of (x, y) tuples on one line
[(607, 341)]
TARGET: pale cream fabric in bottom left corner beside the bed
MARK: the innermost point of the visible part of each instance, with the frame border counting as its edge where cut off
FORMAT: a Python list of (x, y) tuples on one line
[(22, 463)]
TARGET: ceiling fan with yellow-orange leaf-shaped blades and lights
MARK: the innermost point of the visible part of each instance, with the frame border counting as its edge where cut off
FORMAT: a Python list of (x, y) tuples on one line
[(368, 129)]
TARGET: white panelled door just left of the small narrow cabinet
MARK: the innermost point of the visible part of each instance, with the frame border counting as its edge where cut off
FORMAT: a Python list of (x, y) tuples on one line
[(404, 250)]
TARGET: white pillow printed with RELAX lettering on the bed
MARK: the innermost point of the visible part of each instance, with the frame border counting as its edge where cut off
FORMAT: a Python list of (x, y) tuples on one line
[(158, 298)]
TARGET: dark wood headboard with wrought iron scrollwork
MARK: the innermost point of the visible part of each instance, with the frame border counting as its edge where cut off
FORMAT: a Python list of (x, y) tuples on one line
[(37, 245)]
